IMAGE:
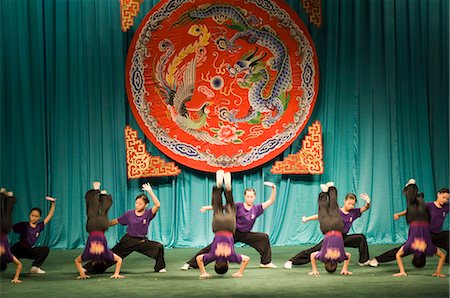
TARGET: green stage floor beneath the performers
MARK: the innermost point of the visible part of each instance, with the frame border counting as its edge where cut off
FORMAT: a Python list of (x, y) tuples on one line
[(141, 281)]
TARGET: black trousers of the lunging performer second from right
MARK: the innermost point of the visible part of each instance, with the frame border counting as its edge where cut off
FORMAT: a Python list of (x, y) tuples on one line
[(354, 240)]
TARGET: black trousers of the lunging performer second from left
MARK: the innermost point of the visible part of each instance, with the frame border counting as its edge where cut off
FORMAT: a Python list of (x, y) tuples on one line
[(126, 246)]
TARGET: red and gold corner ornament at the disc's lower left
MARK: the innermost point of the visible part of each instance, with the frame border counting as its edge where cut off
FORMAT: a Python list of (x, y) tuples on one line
[(140, 163)]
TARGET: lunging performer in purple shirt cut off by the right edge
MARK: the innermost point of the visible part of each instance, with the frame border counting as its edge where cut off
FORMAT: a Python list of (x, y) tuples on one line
[(437, 210)]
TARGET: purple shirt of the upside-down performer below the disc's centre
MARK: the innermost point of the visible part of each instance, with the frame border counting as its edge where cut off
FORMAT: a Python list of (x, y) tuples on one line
[(225, 242)]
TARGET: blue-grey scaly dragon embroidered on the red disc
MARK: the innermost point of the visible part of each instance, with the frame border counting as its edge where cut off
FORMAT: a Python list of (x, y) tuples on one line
[(259, 102)]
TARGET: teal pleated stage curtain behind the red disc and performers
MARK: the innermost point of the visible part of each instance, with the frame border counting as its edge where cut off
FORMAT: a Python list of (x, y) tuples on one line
[(383, 102)]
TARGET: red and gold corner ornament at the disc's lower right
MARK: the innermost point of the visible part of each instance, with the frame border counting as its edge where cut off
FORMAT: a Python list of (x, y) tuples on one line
[(309, 160)]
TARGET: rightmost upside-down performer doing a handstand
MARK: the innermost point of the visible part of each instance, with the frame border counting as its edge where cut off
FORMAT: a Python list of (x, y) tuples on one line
[(419, 236)]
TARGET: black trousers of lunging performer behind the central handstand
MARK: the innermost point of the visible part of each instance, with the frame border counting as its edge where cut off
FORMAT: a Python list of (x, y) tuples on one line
[(259, 241)]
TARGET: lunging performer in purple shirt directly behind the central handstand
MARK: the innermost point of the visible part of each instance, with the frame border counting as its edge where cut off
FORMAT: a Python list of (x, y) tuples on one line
[(246, 215)]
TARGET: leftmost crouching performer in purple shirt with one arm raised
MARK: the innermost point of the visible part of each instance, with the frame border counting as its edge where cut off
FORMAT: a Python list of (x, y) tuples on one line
[(29, 233)]
